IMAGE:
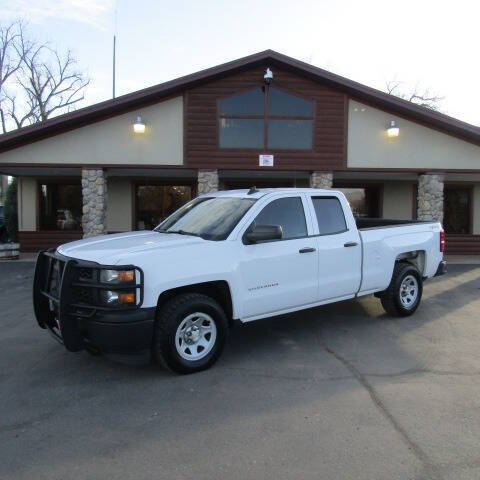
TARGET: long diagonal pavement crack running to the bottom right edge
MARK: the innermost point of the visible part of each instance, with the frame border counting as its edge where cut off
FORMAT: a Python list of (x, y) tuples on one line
[(429, 466)]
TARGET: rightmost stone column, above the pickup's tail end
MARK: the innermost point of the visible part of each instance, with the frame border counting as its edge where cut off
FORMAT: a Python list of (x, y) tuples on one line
[(430, 197)]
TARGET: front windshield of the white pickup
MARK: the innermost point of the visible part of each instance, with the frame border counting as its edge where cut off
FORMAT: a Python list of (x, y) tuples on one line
[(210, 218)]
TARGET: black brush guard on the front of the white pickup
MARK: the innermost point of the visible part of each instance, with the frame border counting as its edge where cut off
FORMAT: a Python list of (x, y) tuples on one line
[(56, 286)]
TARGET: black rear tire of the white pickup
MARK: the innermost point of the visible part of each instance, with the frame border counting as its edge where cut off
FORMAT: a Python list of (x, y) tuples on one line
[(391, 298)]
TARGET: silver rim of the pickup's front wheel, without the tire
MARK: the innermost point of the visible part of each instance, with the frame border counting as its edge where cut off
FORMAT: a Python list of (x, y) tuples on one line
[(195, 336)]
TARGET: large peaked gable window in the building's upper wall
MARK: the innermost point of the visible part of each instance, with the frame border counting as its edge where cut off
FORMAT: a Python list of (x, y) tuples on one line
[(266, 118)]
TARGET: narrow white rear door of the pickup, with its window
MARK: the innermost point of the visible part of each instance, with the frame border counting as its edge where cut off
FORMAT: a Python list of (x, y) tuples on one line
[(338, 245)]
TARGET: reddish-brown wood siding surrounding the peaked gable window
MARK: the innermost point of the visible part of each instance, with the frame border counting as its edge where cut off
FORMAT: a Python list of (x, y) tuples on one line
[(201, 124)]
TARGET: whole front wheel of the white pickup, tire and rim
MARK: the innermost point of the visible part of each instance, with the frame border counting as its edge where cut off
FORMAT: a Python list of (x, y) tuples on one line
[(190, 333)]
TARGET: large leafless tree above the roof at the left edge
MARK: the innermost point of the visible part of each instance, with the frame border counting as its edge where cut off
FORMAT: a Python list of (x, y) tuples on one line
[(45, 81)]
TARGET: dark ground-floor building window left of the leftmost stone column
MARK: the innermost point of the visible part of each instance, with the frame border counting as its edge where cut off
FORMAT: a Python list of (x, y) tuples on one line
[(60, 206)]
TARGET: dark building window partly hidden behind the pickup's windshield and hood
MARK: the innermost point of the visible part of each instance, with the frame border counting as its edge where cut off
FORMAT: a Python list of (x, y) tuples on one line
[(154, 203)]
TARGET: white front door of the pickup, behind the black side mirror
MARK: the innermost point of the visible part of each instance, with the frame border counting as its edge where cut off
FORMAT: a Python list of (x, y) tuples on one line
[(280, 274)]
